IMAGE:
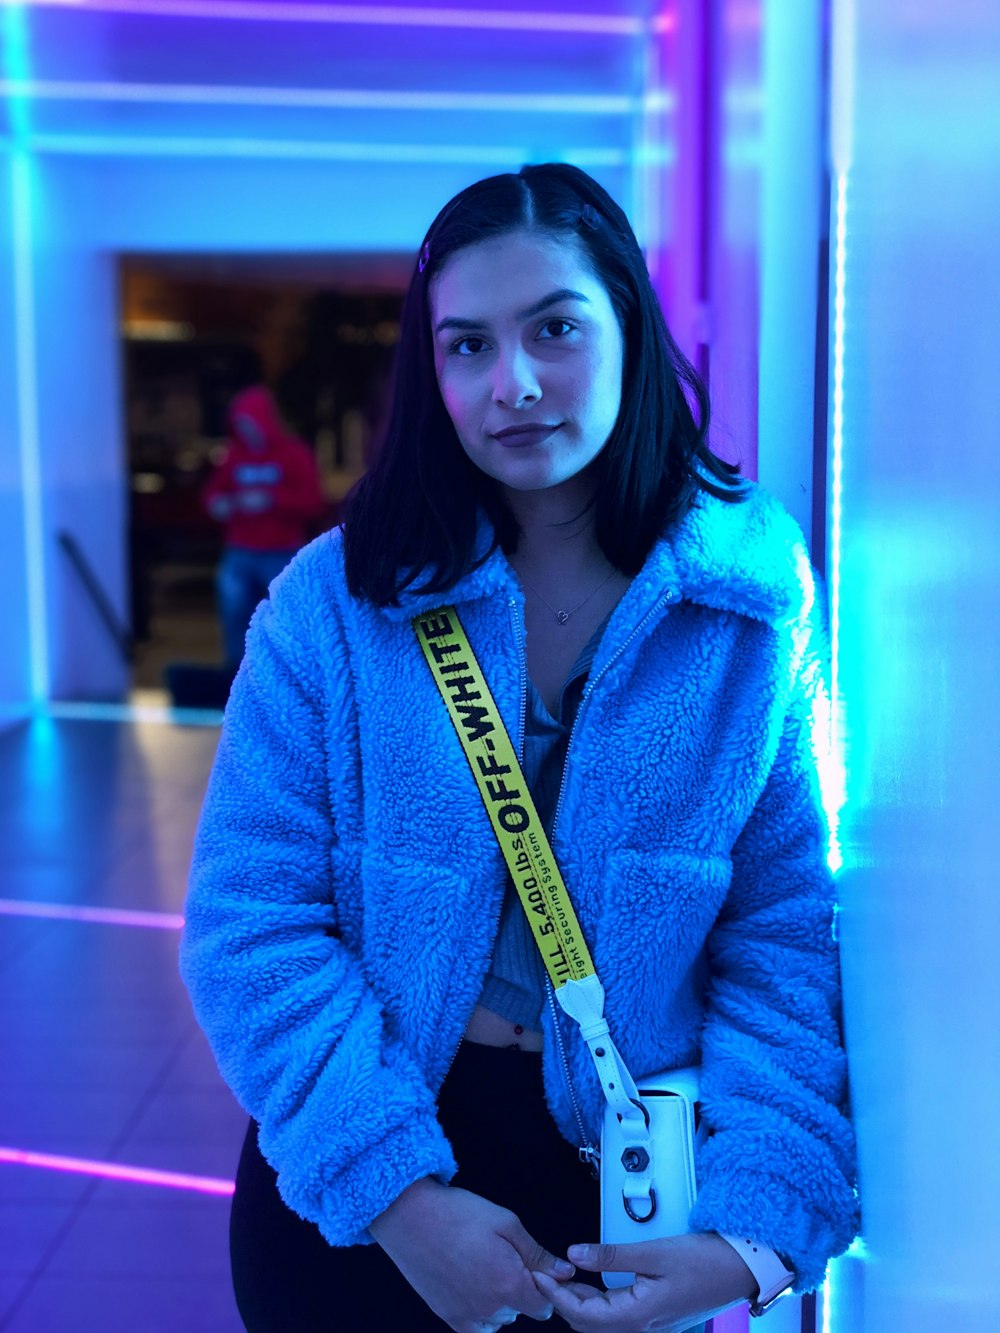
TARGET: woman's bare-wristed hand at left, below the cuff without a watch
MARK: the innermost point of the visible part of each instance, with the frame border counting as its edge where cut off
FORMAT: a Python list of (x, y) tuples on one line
[(470, 1260)]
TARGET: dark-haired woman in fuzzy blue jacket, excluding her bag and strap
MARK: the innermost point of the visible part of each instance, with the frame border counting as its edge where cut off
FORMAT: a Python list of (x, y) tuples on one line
[(354, 955)]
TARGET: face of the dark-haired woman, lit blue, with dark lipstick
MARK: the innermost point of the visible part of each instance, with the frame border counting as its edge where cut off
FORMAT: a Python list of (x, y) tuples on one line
[(529, 354)]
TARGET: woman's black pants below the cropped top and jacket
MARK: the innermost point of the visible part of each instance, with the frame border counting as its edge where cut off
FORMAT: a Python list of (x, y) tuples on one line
[(290, 1280)]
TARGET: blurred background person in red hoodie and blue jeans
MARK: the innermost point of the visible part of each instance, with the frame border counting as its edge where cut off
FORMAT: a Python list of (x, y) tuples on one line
[(267, 493)]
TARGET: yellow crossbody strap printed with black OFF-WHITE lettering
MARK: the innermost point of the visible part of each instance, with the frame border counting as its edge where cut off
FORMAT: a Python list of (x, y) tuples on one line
[(498, 772)]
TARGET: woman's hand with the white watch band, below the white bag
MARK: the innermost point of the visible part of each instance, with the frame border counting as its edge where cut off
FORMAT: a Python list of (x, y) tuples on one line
[(679, 1282)]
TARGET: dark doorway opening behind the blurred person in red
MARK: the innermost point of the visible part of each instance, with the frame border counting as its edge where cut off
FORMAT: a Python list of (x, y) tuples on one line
[(318, 331)]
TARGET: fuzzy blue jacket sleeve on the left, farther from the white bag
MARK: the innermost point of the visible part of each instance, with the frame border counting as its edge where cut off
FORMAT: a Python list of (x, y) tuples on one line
[(346, 1116)]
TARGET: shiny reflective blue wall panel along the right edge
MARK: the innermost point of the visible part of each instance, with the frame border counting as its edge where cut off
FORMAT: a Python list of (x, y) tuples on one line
[(917, 529)]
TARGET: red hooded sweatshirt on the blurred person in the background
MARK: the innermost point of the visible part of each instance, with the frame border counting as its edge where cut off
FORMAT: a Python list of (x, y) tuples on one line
[(267, 494)]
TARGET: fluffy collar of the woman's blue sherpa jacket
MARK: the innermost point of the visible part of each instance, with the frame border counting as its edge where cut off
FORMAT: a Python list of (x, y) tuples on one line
[(746, 558)]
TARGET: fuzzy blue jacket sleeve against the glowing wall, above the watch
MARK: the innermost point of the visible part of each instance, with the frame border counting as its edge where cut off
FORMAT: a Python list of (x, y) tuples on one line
[(779, 1166)]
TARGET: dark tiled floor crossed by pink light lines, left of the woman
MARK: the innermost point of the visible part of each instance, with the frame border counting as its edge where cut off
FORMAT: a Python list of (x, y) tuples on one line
[(101, 1059)]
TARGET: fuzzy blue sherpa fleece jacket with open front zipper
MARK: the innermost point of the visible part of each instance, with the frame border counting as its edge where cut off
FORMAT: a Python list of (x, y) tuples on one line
[(346, 883)]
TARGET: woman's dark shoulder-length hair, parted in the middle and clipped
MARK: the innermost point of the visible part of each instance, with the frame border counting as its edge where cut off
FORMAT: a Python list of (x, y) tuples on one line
[(415, 514)]
